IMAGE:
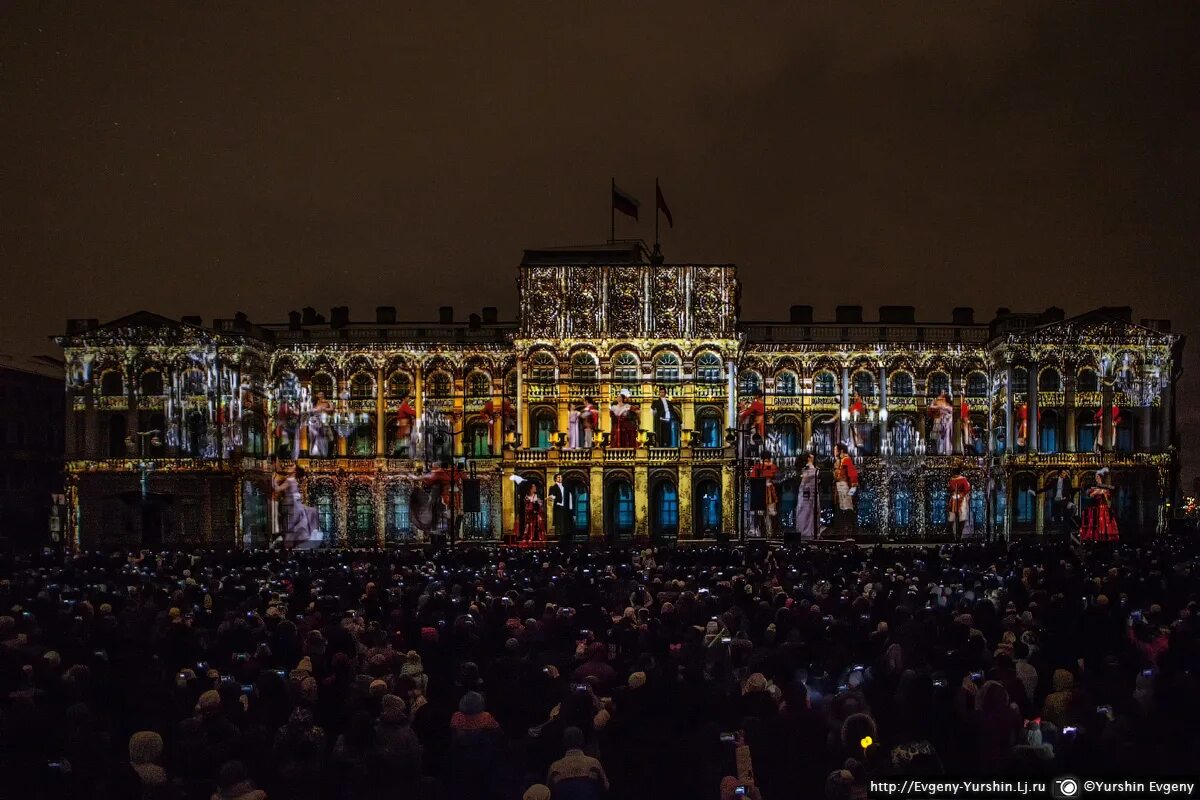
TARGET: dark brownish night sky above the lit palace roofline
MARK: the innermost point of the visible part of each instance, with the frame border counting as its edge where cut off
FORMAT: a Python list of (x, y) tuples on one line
[(205, 159)]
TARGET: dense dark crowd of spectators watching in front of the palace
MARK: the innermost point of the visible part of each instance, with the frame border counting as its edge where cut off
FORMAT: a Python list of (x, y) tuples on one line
[(501, 675)]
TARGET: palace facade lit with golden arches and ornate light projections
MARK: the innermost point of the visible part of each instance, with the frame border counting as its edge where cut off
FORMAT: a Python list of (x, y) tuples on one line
[(175, 430)]
